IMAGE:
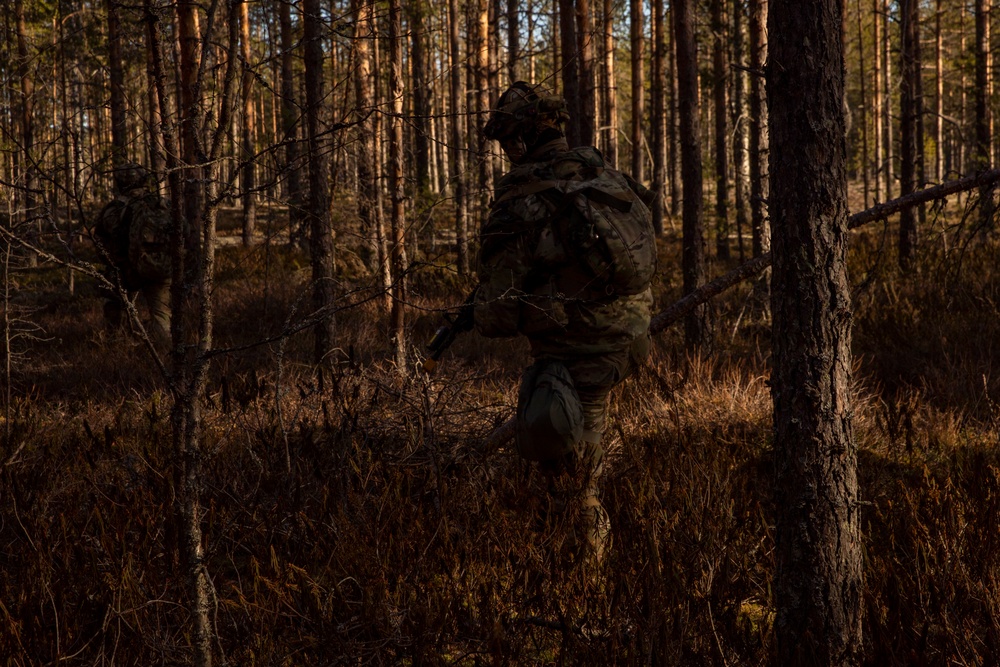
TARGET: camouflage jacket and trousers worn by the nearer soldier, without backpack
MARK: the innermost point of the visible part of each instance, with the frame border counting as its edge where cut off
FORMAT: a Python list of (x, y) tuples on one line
[(528, 288)]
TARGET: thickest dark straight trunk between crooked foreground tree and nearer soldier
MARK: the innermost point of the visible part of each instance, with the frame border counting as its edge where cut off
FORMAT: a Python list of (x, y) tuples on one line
[(320, 227)]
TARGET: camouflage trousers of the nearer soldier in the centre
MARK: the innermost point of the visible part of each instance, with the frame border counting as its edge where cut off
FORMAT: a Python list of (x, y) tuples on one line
[(572, 480)]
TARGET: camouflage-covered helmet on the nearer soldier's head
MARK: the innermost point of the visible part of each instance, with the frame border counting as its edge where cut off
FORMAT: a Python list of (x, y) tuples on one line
[(525, 110)]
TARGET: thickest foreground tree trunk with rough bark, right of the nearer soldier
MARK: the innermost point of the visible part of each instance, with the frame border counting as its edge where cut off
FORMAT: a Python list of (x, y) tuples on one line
[(818, 549)]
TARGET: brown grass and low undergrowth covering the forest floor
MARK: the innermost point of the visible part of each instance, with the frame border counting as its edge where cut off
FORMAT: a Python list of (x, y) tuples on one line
[(351, 516)]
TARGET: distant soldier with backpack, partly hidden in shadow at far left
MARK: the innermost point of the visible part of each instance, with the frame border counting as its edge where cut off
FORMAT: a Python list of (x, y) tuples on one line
[(133, 234)]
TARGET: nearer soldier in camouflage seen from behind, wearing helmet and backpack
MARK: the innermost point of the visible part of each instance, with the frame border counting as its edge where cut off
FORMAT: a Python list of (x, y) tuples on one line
[(540, 277)]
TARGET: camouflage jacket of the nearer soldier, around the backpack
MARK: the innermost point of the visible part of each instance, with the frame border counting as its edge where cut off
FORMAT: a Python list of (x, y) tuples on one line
[(526, 285)]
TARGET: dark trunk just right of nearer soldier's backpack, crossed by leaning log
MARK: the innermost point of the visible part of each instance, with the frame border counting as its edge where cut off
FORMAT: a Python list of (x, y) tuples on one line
[(693, 251)]
